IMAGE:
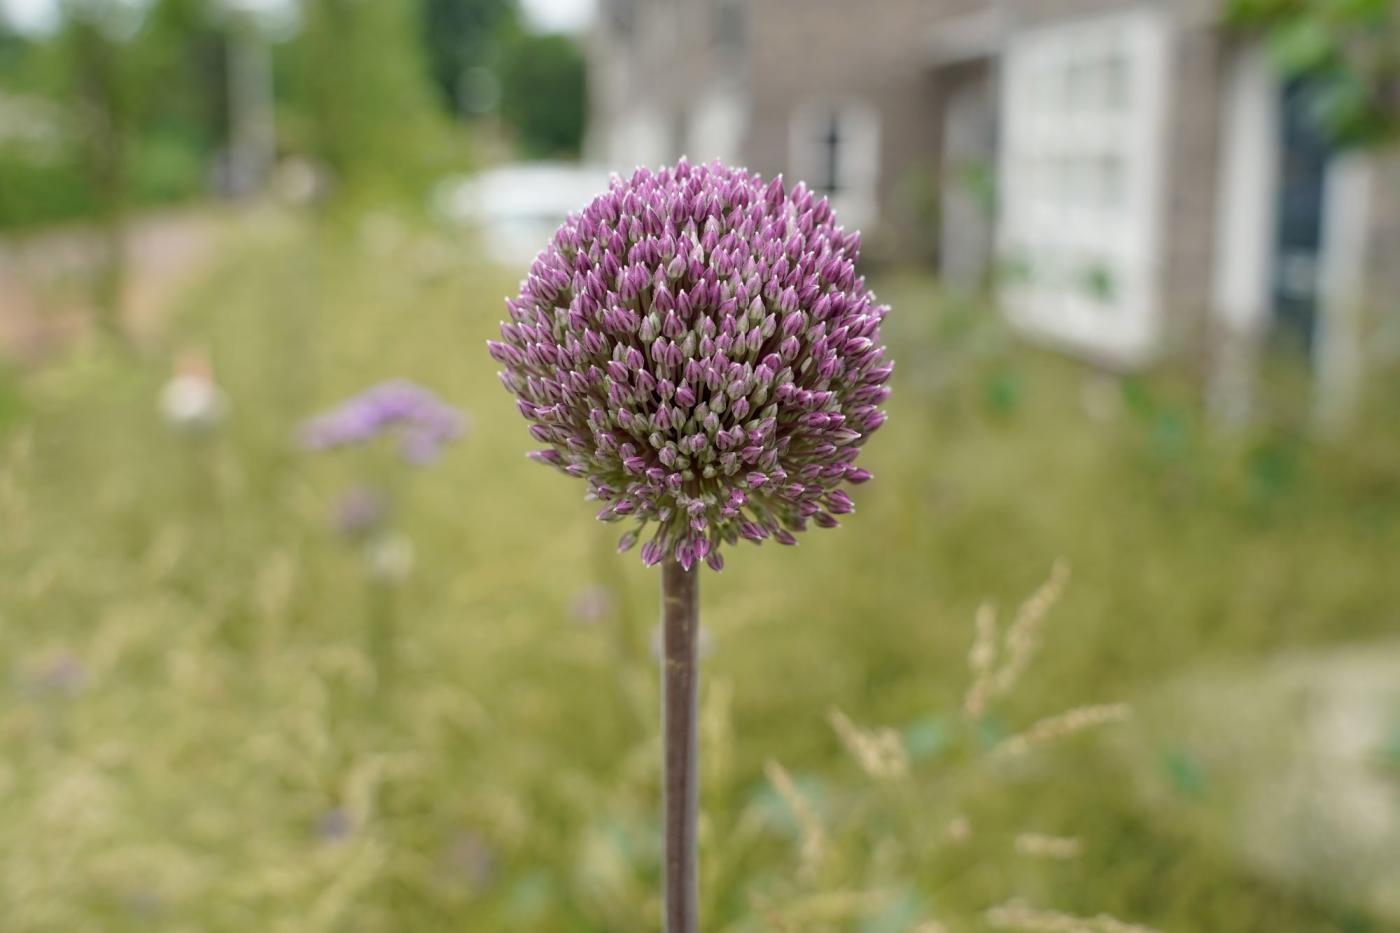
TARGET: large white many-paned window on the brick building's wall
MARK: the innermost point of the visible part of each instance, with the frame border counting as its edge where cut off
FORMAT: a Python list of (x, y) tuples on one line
[(1081, 183)]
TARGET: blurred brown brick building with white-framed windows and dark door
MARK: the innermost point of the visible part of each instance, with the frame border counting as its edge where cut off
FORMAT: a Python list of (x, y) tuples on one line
[(1137, 179)]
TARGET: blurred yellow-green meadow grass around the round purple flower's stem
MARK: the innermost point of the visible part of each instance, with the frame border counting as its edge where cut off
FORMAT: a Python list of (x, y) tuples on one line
[(192, 739)]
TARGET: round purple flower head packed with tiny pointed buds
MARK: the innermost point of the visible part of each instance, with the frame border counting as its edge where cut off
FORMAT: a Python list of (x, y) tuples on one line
[(698, 347)]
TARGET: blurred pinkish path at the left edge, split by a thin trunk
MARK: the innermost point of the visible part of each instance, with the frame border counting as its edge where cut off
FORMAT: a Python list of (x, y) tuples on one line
[(45, 279)]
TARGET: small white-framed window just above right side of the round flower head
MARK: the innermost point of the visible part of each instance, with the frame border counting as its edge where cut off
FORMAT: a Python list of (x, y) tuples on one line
[(857, 162)]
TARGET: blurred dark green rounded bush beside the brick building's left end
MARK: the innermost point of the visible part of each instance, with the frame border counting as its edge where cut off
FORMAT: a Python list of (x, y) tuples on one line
[(545, 95)]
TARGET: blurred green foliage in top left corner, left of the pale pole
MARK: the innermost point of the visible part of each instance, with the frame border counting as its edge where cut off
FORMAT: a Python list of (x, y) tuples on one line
[(128, 110)]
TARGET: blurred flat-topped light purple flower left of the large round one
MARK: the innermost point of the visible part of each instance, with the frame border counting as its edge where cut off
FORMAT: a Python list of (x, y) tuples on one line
[(421, 421)]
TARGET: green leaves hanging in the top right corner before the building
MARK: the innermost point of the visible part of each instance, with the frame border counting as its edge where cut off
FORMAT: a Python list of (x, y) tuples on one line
[(1349, 51)]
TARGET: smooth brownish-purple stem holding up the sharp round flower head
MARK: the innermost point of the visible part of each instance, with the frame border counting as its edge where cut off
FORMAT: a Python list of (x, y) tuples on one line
[(680, 721)]
